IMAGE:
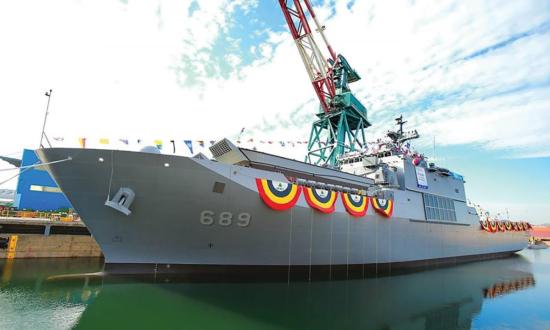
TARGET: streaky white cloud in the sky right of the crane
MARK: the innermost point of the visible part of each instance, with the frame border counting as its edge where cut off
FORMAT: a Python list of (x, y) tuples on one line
[(411, 58)]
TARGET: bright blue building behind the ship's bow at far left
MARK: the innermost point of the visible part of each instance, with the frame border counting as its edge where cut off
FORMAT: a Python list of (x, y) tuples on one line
[(36, 189)]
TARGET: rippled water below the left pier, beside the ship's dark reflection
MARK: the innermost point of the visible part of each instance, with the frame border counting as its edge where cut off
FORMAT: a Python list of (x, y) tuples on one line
[(29, 300)]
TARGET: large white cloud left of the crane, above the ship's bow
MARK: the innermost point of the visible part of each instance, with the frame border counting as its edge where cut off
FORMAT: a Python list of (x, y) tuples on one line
[(110, 66)]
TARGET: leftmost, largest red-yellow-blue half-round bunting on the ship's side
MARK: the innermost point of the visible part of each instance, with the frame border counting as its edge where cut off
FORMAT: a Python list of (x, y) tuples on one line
[(278, 195)]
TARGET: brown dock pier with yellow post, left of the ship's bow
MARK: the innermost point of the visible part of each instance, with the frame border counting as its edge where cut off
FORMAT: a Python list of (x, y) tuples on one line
[(43, 238)]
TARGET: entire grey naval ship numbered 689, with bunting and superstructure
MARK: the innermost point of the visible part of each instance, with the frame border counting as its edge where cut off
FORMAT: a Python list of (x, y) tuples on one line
[(246, 210)]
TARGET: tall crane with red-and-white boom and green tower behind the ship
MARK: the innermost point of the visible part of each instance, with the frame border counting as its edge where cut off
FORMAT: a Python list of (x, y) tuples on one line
[(342, 119)]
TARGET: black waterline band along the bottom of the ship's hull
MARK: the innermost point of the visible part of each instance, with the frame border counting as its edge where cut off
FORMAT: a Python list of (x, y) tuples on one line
[(238, 273)]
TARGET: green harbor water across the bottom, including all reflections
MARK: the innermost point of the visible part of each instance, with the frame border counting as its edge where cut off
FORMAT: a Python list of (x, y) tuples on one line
[(508, 293)]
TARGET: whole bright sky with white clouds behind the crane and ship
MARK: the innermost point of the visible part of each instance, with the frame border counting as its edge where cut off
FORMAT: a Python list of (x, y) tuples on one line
[(473, 74)]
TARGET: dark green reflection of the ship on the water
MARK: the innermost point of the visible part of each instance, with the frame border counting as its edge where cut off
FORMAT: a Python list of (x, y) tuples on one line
[(446, 298)]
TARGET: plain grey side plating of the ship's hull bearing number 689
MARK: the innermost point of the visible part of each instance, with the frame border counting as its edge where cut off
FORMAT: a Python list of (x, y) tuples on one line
[(179, 221)]
